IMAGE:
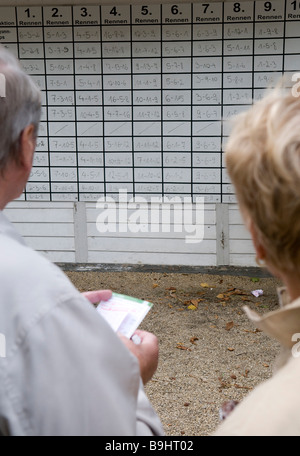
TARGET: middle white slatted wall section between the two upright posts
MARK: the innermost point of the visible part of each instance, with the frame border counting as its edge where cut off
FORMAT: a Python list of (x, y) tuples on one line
[(155, 246)]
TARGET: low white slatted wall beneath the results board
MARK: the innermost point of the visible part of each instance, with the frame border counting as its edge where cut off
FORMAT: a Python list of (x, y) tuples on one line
[(67, 233)]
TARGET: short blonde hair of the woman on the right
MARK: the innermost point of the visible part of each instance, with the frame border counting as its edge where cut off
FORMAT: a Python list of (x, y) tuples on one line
[(263, 161)]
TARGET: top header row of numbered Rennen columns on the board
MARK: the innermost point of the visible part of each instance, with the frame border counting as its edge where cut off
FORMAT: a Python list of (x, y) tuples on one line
[(48, 16)]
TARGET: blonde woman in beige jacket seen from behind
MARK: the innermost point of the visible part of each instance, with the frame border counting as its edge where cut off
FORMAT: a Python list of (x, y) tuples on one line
[(263, 161)]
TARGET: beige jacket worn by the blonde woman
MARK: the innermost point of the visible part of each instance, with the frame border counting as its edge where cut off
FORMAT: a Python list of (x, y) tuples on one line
[(273, 408)]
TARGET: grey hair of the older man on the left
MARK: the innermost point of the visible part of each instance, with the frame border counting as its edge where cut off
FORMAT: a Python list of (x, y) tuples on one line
[(20, 106)]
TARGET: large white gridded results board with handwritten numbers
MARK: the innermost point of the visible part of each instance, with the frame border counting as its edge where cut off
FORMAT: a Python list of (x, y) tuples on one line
[(134, 95)]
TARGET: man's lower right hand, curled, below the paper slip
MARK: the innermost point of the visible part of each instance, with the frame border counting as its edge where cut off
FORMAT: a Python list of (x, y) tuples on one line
[(146, 352)]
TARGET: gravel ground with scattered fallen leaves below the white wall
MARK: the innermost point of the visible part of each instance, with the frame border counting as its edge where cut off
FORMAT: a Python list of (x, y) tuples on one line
[(209, 351)]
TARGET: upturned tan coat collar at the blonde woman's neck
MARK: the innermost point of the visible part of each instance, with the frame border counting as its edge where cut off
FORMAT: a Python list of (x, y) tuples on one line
[(281, 324)]
